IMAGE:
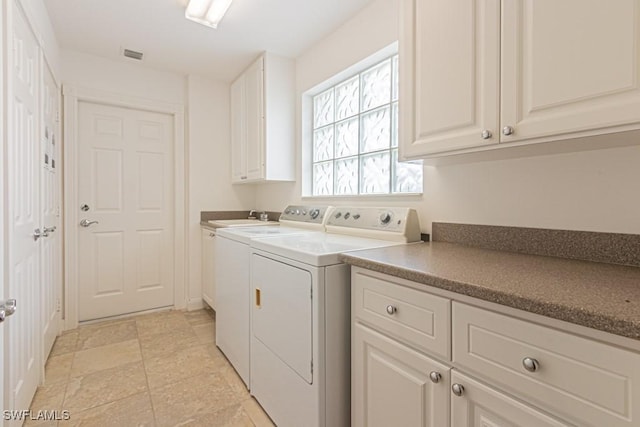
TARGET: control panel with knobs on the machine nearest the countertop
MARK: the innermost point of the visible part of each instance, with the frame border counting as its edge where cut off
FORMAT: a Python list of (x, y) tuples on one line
[(393, 220)]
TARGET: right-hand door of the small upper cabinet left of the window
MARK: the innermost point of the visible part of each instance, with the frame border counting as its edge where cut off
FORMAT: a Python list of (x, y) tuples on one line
[(255, 120)]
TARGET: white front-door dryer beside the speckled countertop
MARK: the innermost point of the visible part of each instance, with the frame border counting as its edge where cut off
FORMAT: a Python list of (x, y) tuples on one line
[(300, 332)]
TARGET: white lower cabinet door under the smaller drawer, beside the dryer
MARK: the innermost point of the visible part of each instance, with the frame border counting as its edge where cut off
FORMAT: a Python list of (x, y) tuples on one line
[(391, 384)]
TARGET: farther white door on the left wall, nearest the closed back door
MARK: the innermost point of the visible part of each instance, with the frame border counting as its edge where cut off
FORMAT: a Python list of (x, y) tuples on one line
[(51, 252)]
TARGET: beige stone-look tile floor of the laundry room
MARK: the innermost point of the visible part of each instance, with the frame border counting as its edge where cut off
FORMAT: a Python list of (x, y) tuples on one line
[(160, 369)]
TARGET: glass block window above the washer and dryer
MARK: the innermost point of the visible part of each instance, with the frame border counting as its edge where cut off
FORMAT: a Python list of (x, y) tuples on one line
[(355, 137)]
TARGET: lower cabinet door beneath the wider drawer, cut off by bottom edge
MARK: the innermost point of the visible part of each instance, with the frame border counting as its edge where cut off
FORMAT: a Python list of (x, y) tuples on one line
[(481, 406)]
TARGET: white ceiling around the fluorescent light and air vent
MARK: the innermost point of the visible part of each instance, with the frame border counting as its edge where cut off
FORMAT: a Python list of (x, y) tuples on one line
[(170, 42)]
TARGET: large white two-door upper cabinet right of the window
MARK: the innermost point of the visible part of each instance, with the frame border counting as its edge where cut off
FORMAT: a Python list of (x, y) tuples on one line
[(475, 74)]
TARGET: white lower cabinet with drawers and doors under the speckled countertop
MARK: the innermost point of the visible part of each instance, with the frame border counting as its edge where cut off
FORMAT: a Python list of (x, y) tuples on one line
[(501, 370)]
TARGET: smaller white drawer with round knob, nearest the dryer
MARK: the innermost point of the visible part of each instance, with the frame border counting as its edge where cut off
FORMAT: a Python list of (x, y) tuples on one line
[(415, 317)]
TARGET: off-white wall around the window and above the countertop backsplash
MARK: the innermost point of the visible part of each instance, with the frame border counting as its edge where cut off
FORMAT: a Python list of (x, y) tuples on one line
[(594, 191)]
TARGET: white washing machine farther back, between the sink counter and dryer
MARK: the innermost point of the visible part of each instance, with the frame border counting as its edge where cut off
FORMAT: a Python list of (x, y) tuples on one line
[(231, 259)]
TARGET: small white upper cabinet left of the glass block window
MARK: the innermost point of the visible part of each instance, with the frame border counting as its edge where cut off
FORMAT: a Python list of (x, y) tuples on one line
[(263, 121)]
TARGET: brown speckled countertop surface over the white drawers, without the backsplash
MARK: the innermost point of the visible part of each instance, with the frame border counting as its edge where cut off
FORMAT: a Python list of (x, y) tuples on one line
[(596, 295)]
